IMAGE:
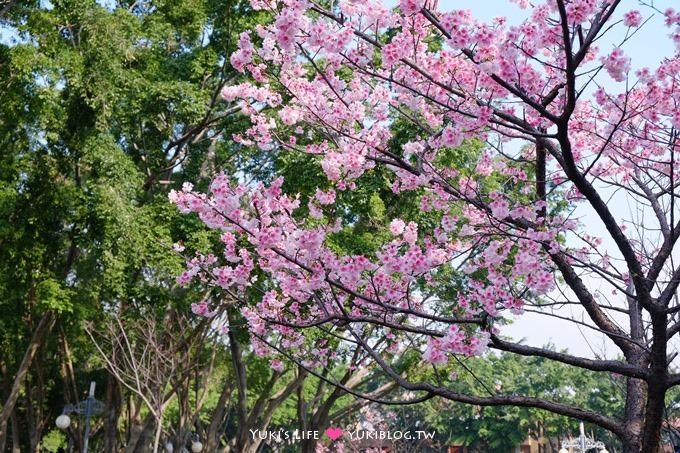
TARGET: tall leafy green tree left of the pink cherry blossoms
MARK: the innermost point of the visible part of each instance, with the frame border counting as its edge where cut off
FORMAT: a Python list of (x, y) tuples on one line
[(103, 105)]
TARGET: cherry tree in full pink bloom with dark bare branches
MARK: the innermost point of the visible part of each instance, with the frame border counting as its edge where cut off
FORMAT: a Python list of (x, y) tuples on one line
[(569, 128)]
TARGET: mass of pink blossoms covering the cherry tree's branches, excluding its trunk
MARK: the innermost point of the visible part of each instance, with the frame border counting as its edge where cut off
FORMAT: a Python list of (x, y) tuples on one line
[(491, 82)]
